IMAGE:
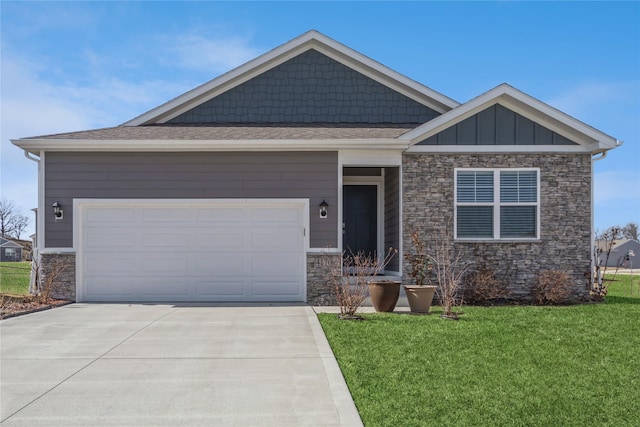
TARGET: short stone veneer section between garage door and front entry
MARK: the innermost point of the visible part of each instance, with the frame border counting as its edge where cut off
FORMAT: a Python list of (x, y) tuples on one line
[(319, 287)]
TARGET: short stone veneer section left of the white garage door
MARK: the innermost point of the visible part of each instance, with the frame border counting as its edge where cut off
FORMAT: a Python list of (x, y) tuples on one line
[(63, 286)]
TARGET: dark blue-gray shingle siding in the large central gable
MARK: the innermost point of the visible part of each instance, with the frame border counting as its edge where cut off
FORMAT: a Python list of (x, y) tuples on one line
[(310, 88)]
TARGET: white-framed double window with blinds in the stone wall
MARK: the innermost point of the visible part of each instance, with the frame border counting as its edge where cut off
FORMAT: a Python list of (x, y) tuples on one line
[(494, 204)]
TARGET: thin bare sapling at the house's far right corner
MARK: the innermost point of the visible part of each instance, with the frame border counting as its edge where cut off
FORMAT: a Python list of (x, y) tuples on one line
[(604, 244)]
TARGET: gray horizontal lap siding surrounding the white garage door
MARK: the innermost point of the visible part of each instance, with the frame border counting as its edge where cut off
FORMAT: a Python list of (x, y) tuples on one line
[(201, 175)]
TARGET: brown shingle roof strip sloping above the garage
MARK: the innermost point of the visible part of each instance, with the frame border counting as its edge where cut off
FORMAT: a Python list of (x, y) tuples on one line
[(239, 132)]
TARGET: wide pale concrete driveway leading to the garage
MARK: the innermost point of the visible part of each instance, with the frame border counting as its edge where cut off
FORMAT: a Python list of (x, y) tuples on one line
[(168, 365)]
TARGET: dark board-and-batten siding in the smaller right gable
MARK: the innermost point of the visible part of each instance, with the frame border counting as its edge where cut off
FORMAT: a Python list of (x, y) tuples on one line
[(497, 125)]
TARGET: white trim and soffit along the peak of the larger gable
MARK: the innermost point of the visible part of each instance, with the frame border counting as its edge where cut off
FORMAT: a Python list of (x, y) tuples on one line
[(309, 40)]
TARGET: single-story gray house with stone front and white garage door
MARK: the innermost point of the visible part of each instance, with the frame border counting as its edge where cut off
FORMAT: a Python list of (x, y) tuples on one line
[(250, 186)]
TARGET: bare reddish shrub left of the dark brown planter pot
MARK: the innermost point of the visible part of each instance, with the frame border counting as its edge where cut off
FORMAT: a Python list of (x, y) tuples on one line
[(351, 279)]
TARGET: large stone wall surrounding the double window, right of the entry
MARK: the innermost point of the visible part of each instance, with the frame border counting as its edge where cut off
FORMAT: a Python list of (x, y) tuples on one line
[(565, 215)]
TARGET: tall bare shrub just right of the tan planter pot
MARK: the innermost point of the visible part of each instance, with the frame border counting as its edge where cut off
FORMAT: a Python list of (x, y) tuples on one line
[(449, 268)]
